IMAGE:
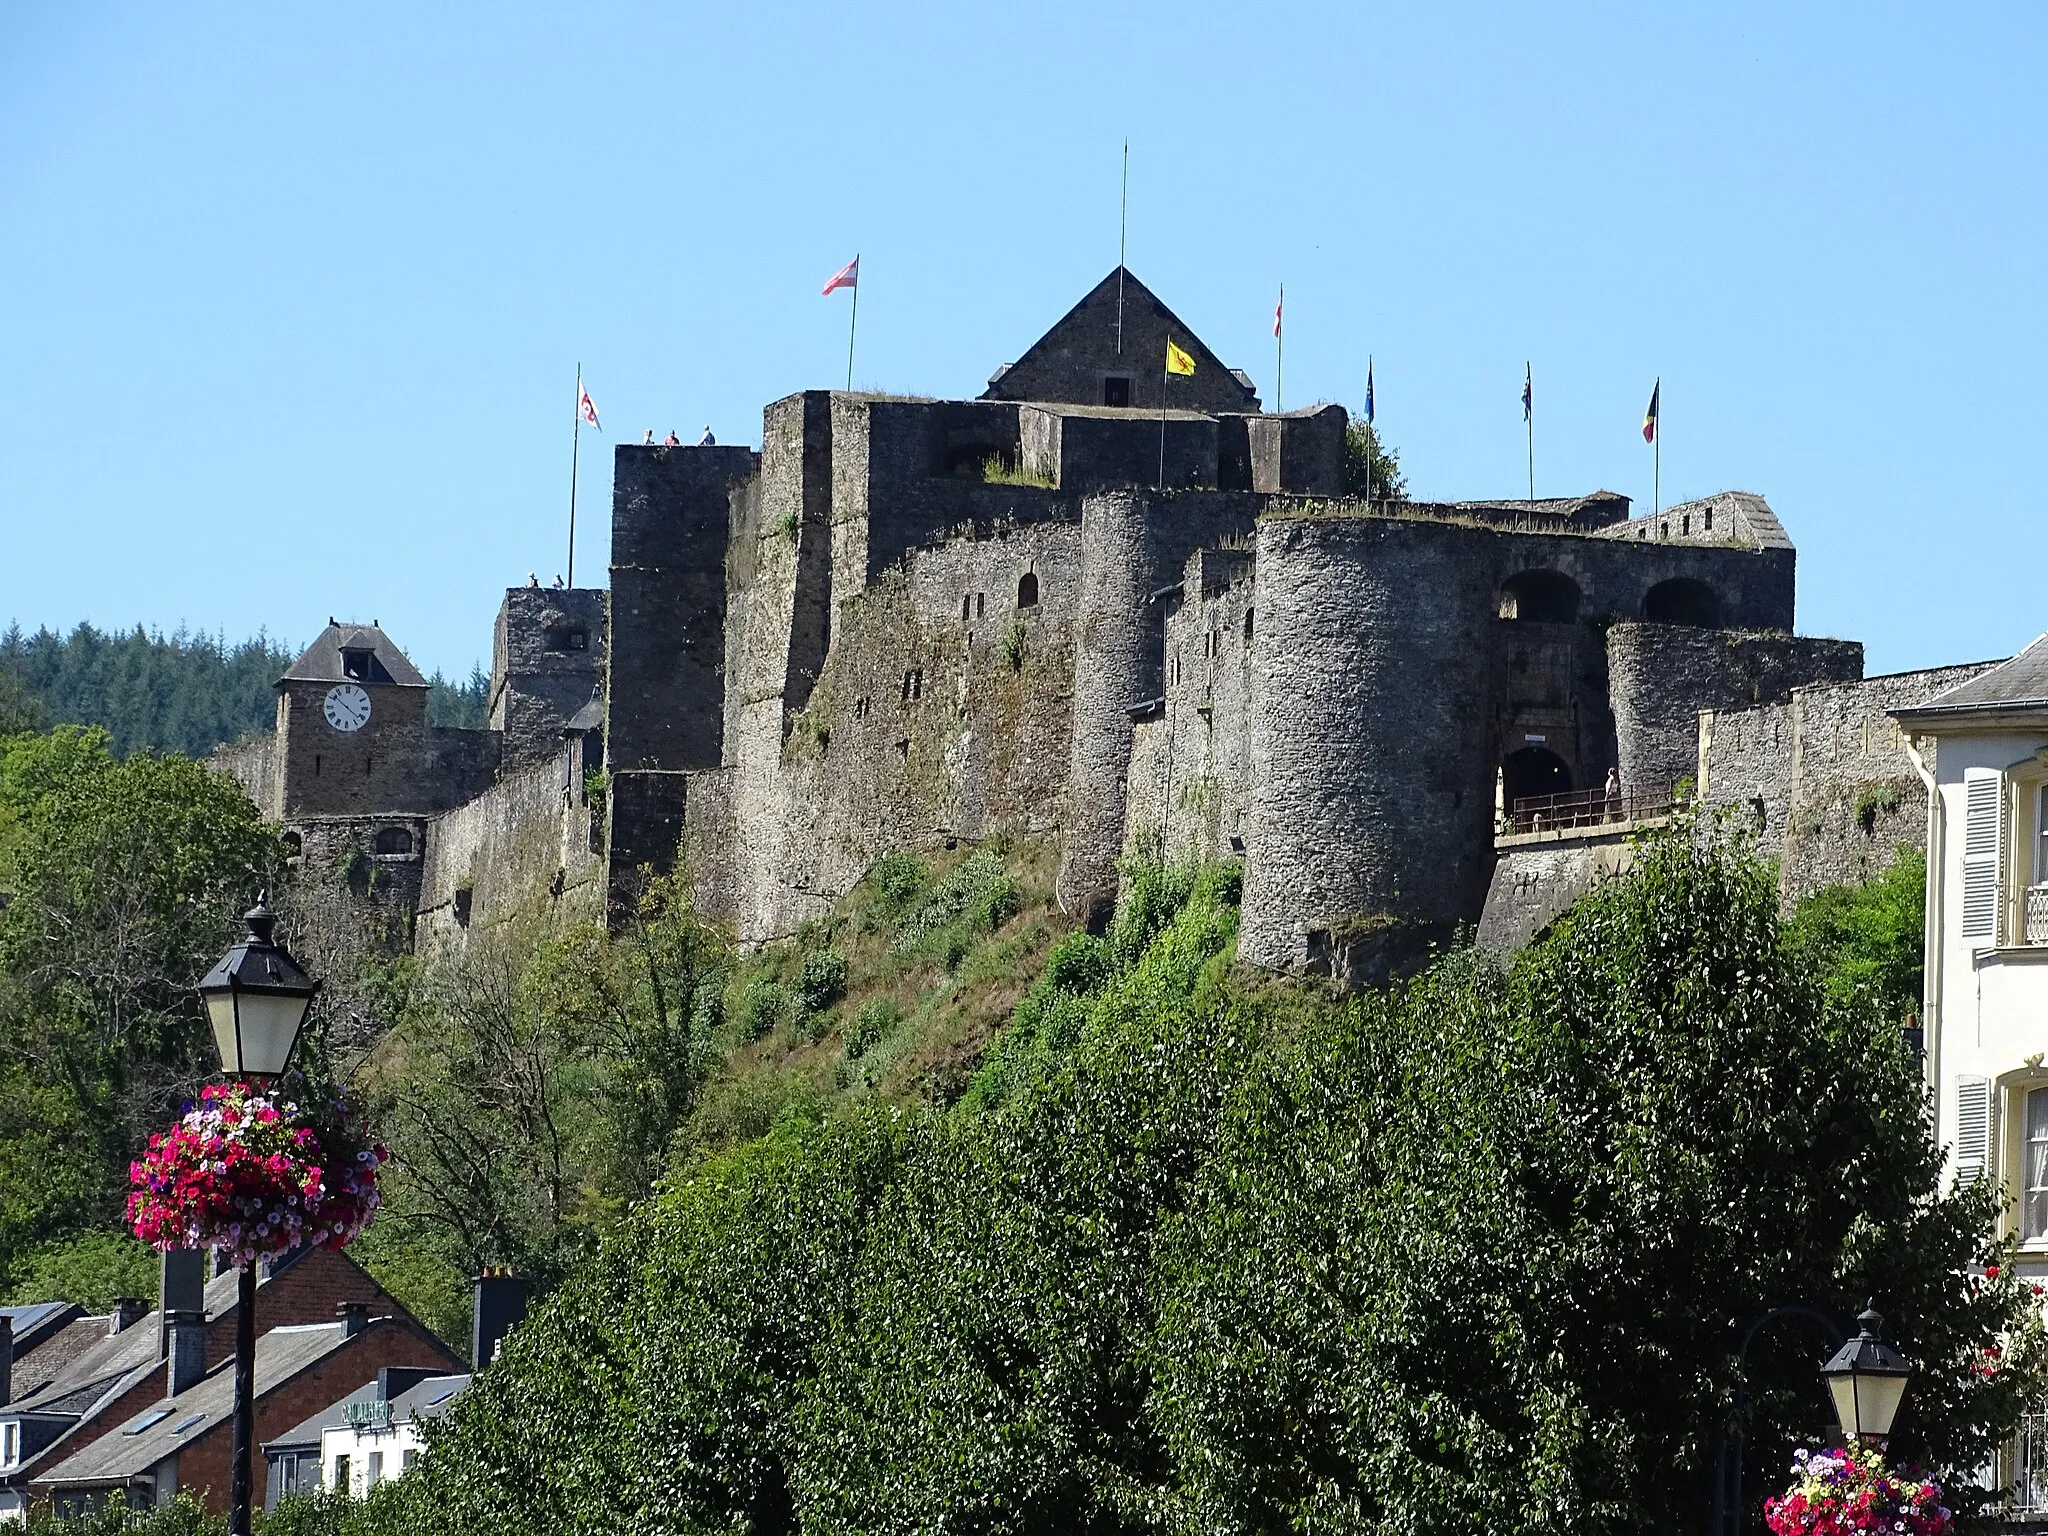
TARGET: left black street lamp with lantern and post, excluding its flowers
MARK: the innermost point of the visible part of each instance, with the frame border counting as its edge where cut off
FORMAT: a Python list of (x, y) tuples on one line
[(257, 1002)]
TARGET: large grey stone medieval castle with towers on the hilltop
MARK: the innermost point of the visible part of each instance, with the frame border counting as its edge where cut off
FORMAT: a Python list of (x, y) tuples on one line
[(1058, 611)]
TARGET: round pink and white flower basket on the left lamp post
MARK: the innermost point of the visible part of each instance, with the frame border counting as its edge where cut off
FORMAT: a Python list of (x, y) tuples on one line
[(257, 1175)]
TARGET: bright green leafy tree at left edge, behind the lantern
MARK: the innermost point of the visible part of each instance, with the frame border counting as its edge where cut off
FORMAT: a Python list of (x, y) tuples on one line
[(124, 884)]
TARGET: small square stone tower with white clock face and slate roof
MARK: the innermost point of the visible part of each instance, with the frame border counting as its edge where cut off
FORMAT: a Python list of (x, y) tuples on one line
[(351, 728)]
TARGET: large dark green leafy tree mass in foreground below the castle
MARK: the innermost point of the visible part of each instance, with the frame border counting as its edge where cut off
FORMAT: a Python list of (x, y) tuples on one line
[(1226, 1254)]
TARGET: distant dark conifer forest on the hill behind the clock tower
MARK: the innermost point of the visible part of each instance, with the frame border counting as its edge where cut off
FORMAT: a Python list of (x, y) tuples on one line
[(173, 693)]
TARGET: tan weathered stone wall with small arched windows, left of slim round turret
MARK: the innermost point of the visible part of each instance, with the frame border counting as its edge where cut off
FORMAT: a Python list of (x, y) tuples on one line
[(925, 726)]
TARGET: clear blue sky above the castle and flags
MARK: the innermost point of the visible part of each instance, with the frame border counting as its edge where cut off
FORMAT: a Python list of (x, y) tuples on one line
[(292, 296)]
